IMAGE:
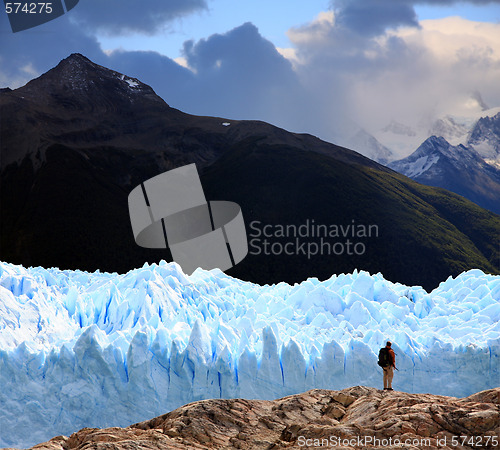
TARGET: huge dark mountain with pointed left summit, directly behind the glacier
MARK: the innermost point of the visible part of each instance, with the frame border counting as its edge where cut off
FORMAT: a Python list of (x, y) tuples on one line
[(78, 139)]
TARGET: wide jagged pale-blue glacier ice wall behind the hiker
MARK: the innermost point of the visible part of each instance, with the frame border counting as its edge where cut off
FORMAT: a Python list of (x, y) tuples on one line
[(82, 349)]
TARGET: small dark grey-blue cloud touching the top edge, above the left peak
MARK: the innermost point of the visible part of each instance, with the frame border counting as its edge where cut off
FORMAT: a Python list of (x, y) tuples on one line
[(124, 16)]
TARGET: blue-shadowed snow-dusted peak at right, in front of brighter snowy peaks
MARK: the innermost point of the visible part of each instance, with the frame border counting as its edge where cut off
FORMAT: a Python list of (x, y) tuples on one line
[(457, 168)]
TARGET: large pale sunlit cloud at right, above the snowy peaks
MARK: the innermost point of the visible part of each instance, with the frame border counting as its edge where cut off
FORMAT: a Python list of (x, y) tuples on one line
[(406, 73)]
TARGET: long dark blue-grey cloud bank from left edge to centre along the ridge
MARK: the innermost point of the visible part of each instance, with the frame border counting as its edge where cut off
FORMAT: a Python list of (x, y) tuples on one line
[(238, 74)]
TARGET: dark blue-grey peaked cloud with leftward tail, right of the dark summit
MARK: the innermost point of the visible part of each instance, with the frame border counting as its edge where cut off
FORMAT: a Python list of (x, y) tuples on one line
[(238, 75)]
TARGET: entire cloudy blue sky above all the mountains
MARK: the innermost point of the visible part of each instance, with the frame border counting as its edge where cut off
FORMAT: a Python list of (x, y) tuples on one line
[(317, 66)]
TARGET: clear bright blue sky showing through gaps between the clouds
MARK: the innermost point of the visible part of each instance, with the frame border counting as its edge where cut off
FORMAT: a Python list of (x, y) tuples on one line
[(272, 18)]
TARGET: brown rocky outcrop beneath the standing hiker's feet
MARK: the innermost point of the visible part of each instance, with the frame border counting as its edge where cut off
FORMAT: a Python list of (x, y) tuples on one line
[(354, 418)]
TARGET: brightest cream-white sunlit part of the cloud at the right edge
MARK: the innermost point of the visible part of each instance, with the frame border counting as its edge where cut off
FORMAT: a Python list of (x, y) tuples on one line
[(462, 57)]
